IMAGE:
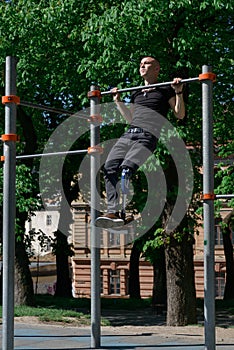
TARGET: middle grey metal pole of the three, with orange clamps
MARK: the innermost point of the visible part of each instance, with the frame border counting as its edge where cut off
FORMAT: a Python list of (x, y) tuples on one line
[(95, 207)]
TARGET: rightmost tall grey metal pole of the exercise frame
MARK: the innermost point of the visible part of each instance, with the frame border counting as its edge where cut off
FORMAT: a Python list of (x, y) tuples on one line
[(208, 212)]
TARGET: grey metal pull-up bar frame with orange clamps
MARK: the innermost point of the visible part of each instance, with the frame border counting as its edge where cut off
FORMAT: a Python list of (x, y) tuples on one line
[(9, 139)]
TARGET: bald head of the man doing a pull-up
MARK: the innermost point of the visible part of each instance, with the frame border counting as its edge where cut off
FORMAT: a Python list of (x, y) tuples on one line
[(149, 69)]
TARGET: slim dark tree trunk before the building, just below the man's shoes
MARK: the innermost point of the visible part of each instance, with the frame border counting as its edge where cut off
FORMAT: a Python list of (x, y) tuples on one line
[(134, 281)]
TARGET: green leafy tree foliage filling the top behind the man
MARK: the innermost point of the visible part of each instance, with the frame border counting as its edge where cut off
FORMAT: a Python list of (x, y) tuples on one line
[(63, 46)]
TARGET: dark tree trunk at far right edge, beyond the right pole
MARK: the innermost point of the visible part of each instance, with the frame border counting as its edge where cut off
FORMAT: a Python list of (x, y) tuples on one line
[(228, 251)]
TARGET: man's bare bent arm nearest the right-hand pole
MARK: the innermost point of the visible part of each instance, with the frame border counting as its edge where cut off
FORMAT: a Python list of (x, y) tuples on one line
[(177, 102)]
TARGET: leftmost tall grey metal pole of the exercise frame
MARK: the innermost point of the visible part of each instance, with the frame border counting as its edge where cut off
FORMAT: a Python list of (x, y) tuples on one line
[(9, 210)]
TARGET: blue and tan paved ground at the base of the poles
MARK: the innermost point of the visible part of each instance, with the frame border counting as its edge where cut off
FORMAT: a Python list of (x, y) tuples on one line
[(43, 337)]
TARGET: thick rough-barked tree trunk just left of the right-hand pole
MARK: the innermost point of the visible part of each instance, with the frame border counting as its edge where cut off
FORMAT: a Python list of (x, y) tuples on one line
[(181, 296)]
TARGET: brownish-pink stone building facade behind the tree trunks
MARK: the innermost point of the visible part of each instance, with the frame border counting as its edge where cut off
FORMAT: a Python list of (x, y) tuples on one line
[(115, 257)]
